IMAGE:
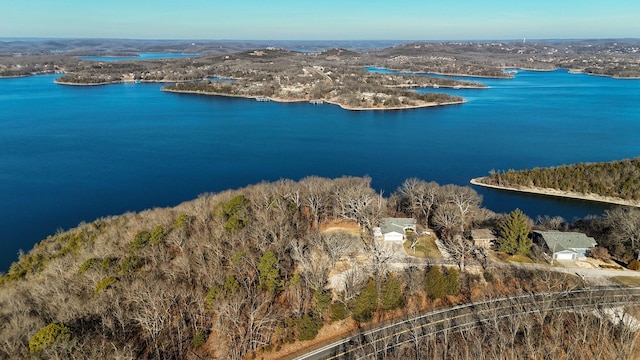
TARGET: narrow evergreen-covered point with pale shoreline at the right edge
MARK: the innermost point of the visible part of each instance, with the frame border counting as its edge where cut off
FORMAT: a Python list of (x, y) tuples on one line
[(616, 182)]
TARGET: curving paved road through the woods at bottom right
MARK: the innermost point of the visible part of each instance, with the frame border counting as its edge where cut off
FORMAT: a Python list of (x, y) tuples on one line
[(469, 316)]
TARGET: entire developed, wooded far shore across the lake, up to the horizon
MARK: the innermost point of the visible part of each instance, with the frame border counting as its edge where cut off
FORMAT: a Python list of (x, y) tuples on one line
[(333, 75)]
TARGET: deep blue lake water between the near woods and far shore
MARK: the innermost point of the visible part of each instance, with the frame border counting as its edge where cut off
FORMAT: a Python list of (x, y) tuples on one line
[(72, 154)]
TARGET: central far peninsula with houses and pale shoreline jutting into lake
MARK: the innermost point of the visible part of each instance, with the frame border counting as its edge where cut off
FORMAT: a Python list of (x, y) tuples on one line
[(274, 74)]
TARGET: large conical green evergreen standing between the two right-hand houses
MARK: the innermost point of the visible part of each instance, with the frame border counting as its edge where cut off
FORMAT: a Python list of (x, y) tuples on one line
[(514, 234)]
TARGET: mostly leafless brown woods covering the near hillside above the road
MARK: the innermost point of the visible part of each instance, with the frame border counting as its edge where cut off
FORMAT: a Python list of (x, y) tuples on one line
[(247, 272)]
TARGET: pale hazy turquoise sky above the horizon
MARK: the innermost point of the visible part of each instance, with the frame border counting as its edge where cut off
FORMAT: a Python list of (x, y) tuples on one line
[(328, 19)]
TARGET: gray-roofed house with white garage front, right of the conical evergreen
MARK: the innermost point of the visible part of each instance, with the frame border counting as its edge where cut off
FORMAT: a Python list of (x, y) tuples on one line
[(565, 245)]
